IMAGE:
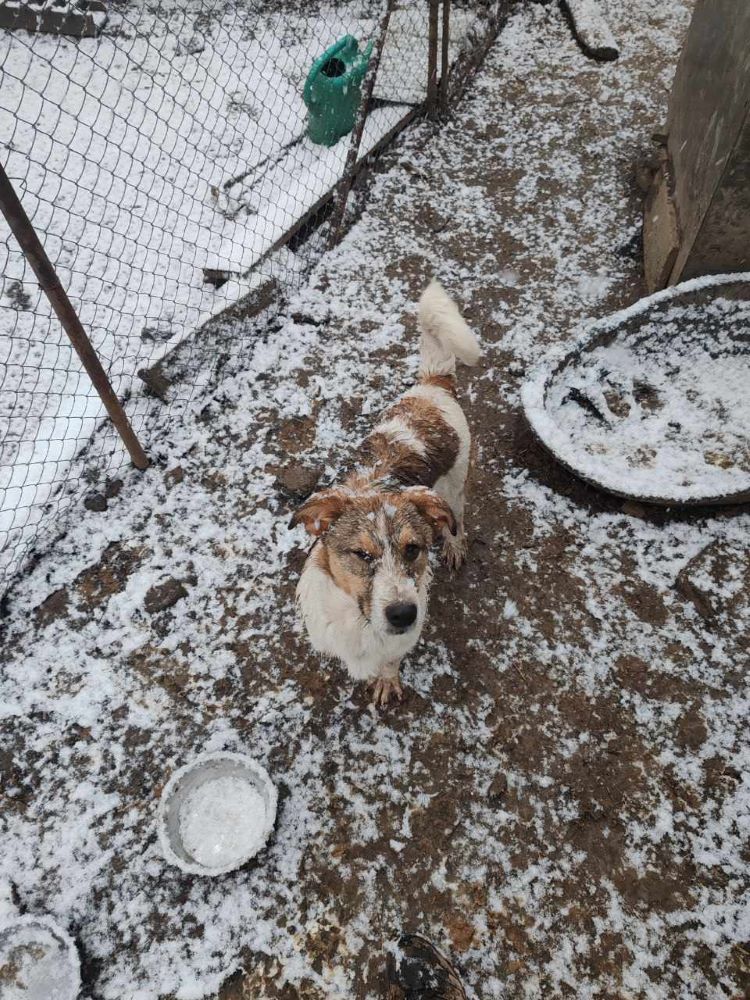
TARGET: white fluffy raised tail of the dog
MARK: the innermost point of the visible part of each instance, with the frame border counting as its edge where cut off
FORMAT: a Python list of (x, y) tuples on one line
[(445, 334)]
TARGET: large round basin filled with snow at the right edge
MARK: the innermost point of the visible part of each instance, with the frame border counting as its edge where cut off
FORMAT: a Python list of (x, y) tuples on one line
[(653, 401)]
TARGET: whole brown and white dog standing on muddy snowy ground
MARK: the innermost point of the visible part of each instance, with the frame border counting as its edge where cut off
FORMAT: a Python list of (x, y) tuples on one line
[(363, 590)]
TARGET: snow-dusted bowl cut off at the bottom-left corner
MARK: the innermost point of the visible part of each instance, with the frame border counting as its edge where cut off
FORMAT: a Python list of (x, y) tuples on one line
[(38, 960)]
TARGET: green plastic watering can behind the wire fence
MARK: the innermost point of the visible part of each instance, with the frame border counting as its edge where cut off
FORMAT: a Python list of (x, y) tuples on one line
[(333, 90)]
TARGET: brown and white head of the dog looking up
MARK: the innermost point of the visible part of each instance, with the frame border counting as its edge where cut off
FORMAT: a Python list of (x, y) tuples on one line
[(375, 548)]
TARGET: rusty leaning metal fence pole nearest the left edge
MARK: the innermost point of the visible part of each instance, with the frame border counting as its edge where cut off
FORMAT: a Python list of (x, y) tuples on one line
[(35, 254)]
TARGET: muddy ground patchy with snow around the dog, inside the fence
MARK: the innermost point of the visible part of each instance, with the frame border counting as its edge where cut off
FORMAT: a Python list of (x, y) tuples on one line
[(562, 802)]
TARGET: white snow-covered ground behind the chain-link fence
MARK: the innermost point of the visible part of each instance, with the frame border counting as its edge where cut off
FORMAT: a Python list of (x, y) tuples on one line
[(171, 144)]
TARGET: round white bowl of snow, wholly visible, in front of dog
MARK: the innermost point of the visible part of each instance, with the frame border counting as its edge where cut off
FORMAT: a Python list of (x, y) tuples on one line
[(204, 781)]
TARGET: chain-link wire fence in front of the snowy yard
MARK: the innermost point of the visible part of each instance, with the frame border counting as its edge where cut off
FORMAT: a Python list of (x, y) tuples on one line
[(160, 149)]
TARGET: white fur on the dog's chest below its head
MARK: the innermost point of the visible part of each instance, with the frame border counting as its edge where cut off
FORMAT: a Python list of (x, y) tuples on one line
[(336, 627)]
